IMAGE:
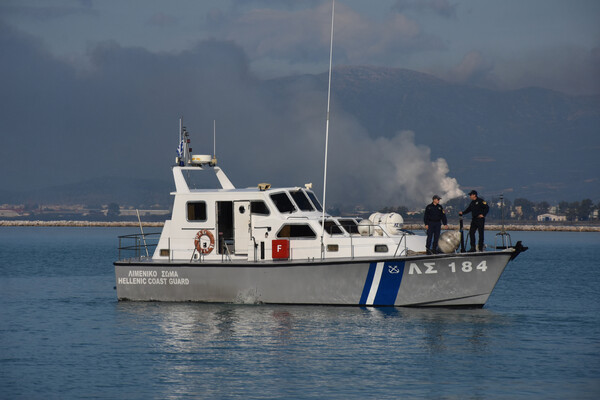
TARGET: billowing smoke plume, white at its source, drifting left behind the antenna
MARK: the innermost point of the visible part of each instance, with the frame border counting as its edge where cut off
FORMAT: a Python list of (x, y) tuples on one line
[(373, 172)]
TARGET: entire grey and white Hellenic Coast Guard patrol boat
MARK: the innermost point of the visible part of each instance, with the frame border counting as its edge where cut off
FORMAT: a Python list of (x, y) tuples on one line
[(277, 246)]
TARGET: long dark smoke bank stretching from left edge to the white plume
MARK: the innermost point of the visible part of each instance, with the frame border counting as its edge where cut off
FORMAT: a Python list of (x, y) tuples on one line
[(120, 118)]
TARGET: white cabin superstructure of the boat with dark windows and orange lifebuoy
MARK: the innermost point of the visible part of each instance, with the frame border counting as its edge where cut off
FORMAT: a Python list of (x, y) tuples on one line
[(265, 224)]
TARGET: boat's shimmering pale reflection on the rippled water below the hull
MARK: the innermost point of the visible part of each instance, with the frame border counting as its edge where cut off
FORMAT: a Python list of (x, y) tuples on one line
[(242, 346)]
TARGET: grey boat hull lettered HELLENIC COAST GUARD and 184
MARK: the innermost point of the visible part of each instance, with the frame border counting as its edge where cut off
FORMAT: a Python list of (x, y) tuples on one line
[(465, 279)]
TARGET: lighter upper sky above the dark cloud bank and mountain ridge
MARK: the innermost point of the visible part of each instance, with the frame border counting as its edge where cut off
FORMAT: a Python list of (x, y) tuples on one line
[(508, 44)]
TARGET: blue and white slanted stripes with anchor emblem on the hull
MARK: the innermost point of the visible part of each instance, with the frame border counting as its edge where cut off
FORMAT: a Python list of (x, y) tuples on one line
[(382, 284)]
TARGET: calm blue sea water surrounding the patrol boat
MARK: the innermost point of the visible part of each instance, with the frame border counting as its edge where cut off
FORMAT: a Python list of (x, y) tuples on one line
[(64, 335)]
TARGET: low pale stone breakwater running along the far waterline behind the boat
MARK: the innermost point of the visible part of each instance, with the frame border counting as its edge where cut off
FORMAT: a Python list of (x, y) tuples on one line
[(133, 224)]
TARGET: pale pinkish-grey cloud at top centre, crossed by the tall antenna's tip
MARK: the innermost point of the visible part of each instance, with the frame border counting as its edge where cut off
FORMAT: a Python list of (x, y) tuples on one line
[(301, 36)]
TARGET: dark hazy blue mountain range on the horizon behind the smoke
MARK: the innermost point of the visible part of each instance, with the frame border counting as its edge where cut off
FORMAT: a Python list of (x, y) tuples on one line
[(533, 143)]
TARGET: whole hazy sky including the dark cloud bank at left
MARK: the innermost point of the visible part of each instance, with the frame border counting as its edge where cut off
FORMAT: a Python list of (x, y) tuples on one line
[(97, 84)]
